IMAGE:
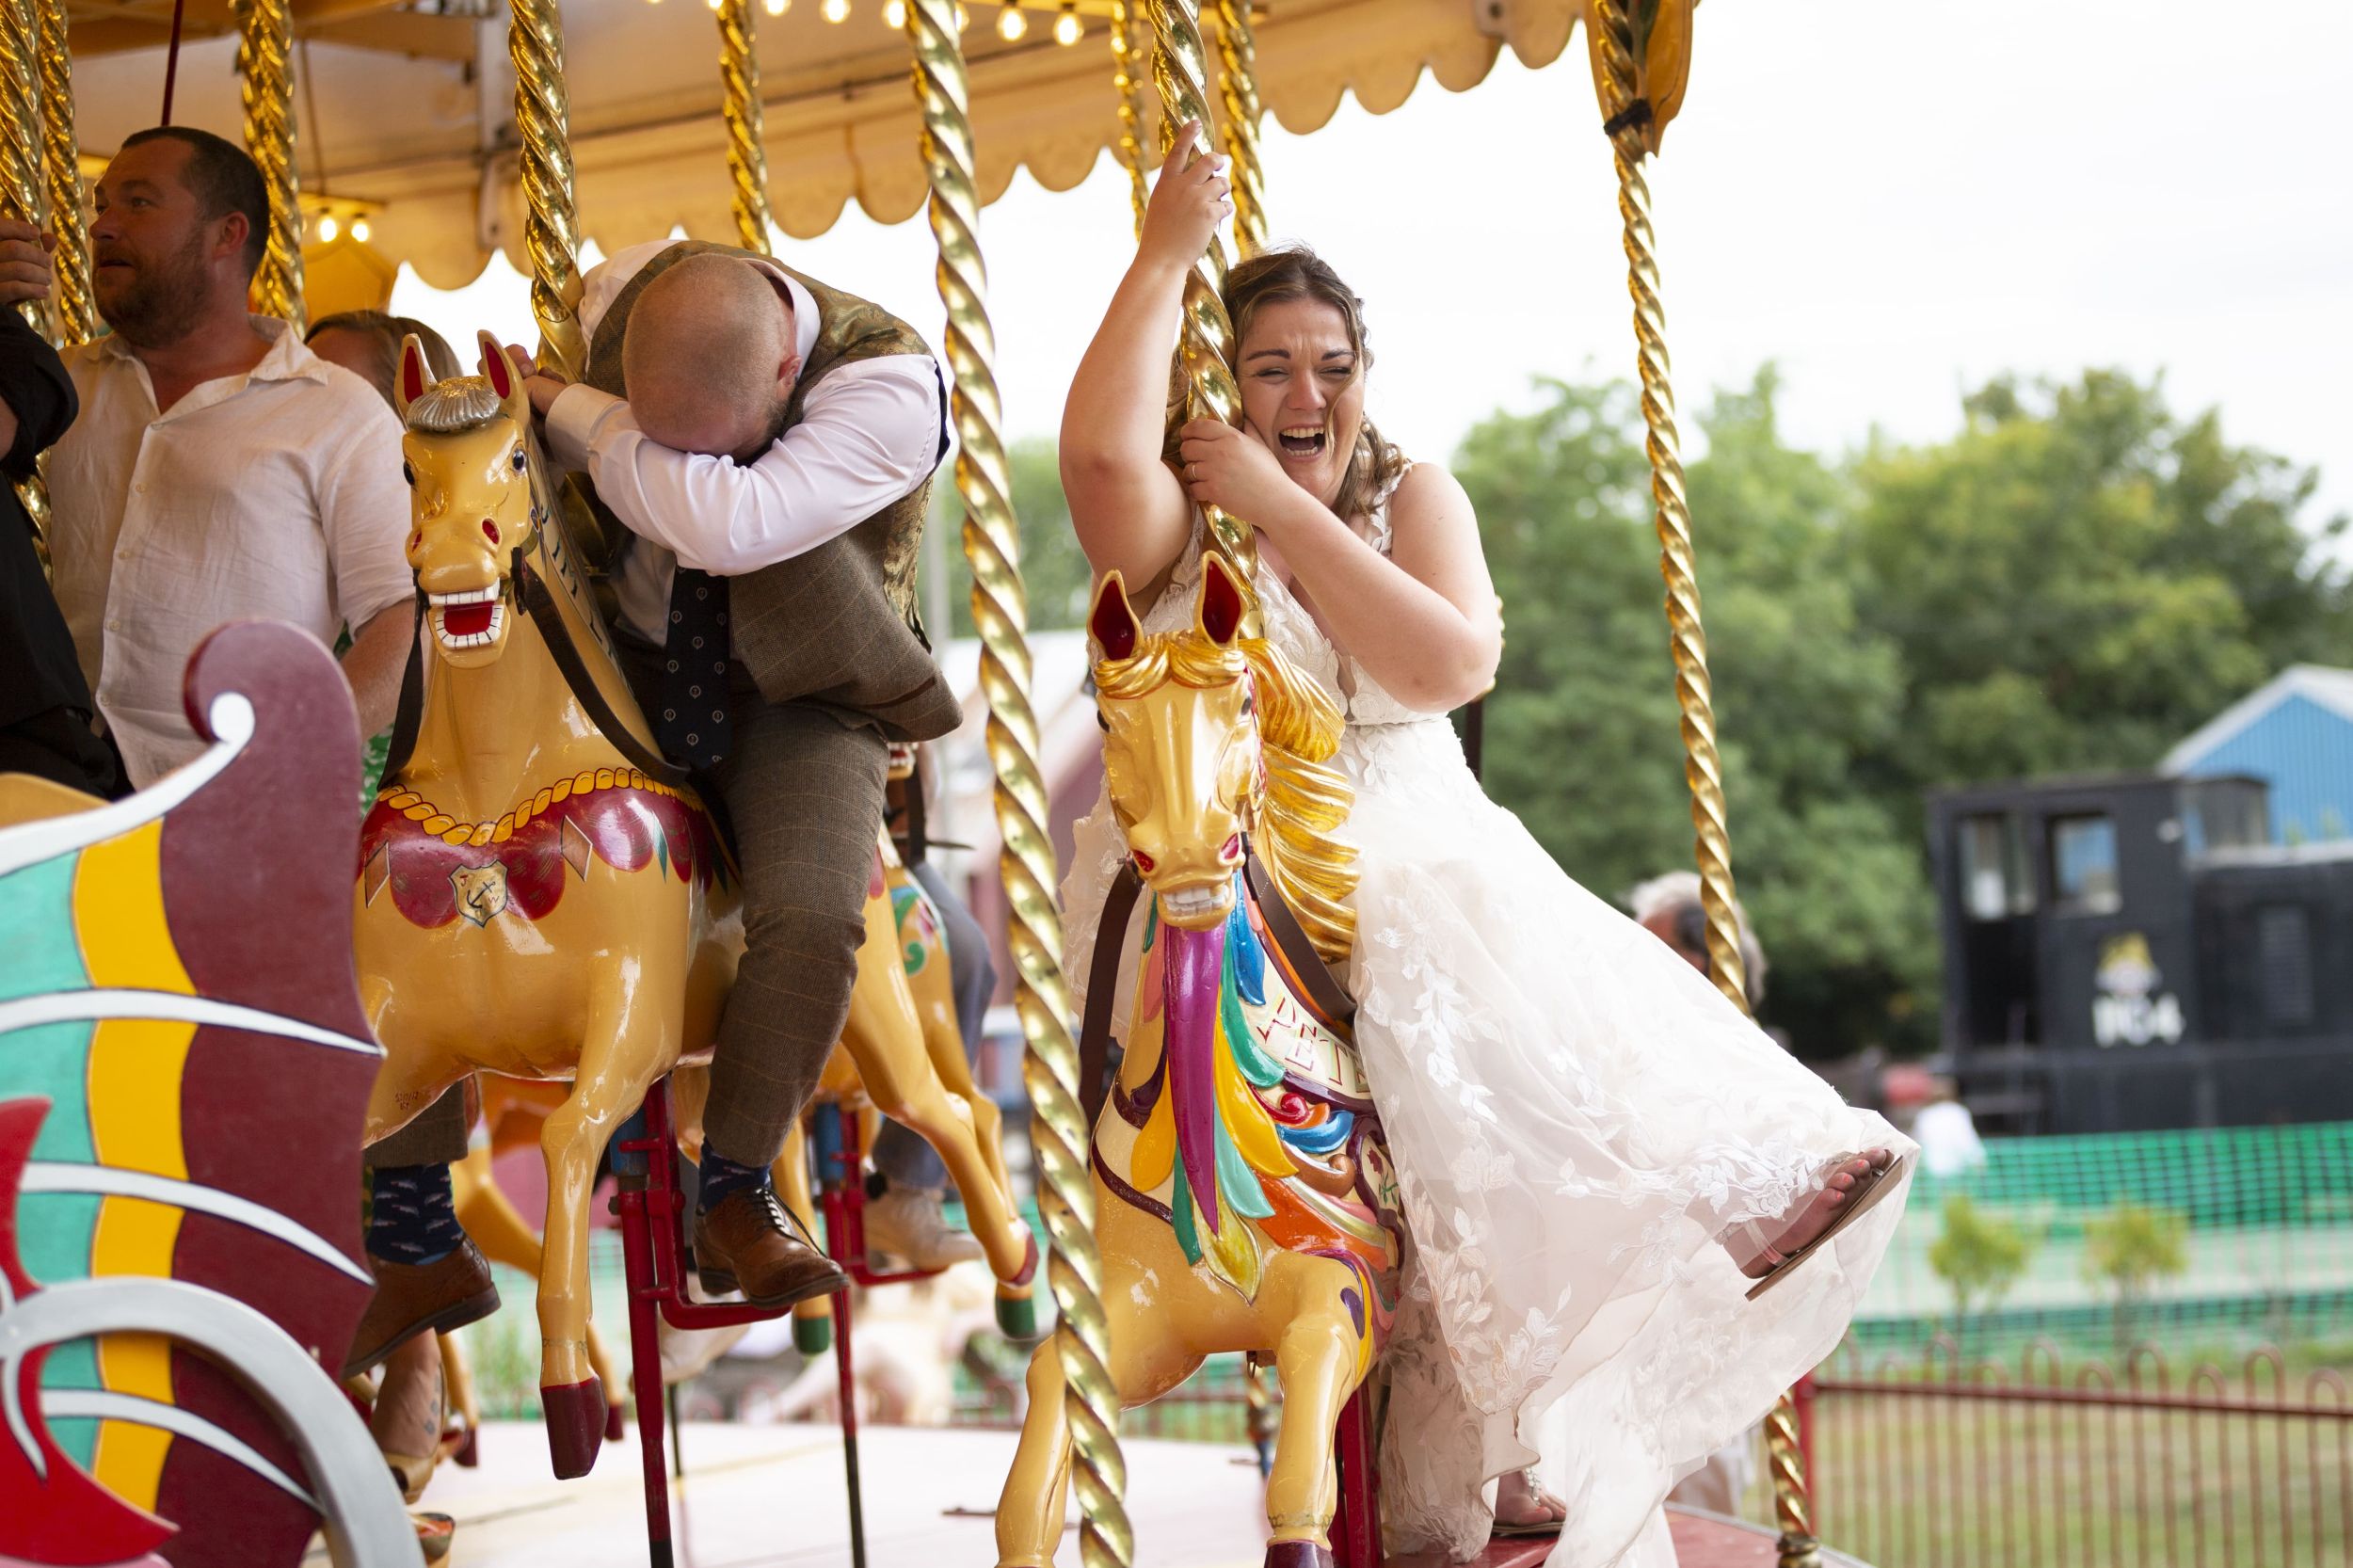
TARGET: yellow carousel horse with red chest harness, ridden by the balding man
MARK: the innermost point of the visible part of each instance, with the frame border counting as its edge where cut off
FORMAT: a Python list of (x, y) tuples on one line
[(538, 898)]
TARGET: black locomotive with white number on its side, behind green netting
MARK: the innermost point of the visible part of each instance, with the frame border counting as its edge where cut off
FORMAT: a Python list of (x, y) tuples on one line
[(2133, 952)]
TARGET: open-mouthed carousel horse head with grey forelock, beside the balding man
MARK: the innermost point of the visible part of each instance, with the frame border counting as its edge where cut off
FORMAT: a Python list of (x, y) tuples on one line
[(472, 498)]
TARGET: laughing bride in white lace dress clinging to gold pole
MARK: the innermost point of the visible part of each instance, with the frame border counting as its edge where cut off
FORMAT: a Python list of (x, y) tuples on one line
[(1601, 1160)]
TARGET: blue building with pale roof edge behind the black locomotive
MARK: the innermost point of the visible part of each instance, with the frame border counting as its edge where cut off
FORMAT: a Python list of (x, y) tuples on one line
[(2298, 736)]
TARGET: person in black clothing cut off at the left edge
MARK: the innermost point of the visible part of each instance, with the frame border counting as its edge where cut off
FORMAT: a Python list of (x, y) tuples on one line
[(46, 707)]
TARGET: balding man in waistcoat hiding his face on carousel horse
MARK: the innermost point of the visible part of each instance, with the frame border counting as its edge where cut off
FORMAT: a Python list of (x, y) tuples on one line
[(764, 446)]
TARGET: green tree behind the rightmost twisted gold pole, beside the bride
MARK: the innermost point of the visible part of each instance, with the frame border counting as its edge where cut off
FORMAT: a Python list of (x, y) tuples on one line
[(1582, 736)]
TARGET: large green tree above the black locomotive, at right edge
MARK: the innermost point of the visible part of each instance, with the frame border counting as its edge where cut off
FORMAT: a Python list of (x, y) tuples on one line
[(2079, 580)]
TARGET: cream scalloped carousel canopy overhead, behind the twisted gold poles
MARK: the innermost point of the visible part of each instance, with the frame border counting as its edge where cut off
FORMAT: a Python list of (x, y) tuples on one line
[(408, 109)]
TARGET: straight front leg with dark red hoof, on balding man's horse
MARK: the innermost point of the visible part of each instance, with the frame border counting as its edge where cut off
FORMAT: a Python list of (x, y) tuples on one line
[(625, 1047)]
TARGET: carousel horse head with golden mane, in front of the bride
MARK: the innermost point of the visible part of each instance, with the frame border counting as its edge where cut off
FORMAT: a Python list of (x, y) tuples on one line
[(1218, 745)]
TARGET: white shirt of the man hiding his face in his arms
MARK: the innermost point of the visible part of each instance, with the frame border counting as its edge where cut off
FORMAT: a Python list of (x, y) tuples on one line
[(867, 434)]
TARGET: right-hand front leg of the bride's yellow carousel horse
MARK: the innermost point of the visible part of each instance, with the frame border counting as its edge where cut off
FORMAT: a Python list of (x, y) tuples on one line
[(1321, 1357)]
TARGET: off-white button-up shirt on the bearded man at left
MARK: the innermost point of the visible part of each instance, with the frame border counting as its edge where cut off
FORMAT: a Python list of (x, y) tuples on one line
[(274, 496)]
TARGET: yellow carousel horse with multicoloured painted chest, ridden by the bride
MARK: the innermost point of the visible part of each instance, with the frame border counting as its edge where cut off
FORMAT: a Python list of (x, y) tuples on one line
[(1241, 1181)]
